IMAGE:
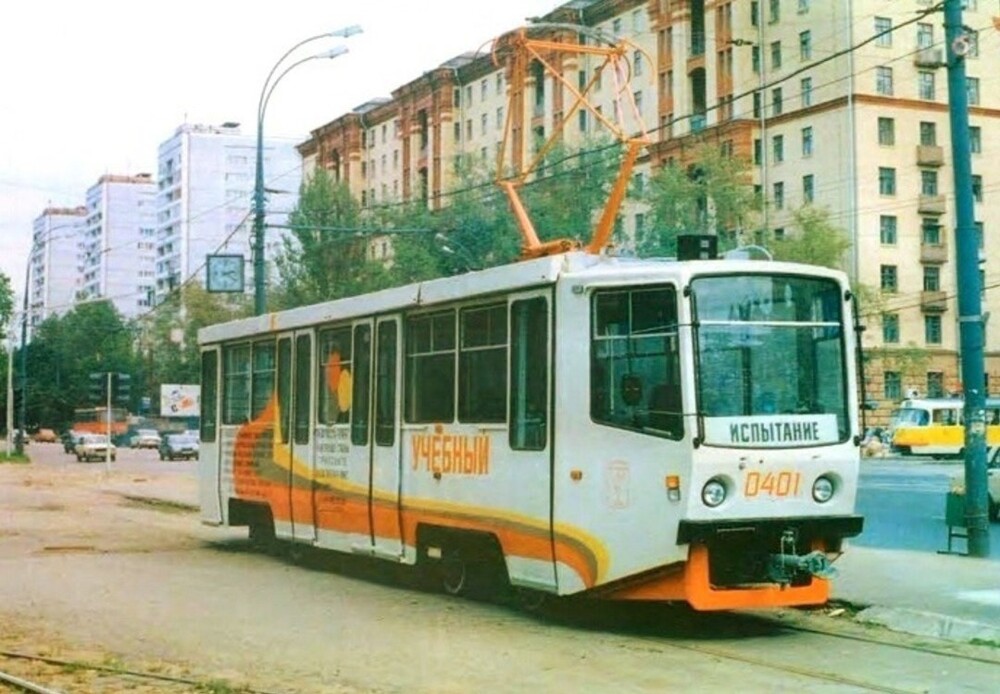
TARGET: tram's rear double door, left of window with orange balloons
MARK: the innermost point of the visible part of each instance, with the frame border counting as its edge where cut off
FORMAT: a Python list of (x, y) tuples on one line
[(293, 444)]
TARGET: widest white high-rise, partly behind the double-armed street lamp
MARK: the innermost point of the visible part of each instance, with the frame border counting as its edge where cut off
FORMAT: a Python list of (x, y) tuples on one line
[(204, 199)]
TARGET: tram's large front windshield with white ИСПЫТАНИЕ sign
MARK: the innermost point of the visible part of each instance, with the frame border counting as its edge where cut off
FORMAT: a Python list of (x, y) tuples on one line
[(770, 360)]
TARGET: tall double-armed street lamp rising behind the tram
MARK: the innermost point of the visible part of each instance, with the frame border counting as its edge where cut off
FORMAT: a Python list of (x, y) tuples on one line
[(258, 192)]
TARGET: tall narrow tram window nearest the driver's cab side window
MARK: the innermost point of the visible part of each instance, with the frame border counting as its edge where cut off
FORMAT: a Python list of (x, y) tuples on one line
[(529, 374)]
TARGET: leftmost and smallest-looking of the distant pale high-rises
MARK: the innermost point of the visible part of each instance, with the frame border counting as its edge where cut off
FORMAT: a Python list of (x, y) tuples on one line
[(52, 262)]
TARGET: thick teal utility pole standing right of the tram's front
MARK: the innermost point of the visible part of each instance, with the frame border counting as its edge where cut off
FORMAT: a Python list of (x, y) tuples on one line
[(970, 318)]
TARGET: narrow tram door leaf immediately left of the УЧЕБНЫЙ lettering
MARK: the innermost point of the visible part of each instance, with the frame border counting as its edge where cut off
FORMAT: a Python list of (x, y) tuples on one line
[(384, 516)]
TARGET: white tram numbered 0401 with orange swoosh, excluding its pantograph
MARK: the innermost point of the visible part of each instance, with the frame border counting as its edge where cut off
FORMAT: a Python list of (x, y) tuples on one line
[(645, 430)]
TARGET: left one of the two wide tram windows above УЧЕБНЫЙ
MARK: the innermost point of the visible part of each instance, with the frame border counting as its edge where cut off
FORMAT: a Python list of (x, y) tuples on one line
[(430, 368)]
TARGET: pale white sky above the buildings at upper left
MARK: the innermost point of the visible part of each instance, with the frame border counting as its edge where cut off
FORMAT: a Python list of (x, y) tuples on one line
[(93, 88)]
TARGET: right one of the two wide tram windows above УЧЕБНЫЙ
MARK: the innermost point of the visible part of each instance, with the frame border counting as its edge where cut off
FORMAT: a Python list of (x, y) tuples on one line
[(482, 365)]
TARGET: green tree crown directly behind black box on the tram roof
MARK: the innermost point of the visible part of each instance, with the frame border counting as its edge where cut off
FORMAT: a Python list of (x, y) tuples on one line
[(712, 195)]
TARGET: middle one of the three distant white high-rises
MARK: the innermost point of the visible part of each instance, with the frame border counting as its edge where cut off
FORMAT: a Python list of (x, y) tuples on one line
[(117, 243)]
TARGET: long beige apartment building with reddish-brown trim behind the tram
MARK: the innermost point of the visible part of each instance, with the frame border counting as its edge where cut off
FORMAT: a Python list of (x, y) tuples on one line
[(838, 104)]
